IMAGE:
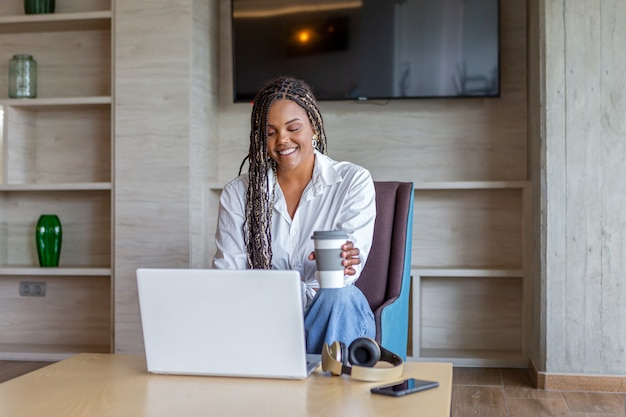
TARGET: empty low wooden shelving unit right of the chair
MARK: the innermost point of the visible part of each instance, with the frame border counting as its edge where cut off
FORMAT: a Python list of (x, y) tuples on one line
[(471, 281)]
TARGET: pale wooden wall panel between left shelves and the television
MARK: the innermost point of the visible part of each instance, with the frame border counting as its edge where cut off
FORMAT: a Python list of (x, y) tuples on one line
[(166, 134)]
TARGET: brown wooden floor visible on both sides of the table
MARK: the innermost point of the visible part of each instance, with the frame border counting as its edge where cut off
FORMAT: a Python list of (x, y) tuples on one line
[(480, 392)]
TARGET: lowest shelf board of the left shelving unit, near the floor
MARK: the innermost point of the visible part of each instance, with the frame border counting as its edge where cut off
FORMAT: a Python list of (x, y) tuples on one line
[(46, 353)]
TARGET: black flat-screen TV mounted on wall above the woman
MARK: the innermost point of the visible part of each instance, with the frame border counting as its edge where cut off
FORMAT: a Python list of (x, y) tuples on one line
[(368, 49)]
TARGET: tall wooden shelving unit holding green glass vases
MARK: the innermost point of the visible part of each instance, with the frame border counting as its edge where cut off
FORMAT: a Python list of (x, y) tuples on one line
[(57, 158)]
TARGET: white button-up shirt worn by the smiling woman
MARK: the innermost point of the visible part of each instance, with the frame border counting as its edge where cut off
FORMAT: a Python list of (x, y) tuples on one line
[(340, 196)]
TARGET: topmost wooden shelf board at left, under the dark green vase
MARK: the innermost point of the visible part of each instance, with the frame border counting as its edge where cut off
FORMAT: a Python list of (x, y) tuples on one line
[(53, 22)]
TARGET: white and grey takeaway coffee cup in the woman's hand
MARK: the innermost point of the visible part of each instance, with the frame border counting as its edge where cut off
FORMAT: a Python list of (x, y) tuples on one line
[(330, 269)]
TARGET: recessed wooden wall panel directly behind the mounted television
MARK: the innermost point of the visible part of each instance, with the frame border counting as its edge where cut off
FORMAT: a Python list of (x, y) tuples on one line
[(418, 140)]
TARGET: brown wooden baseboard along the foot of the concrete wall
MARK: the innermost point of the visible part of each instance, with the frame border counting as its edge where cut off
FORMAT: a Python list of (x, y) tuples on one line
[(573, 382)]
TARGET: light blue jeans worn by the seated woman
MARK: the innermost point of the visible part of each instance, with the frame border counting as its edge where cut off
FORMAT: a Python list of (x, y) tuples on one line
[(337, 314)]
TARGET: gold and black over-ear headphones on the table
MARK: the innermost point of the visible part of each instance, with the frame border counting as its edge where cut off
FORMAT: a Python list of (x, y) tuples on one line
[(362, 355)]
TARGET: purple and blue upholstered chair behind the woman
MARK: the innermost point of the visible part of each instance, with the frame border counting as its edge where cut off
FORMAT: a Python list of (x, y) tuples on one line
[(385, 279)]
